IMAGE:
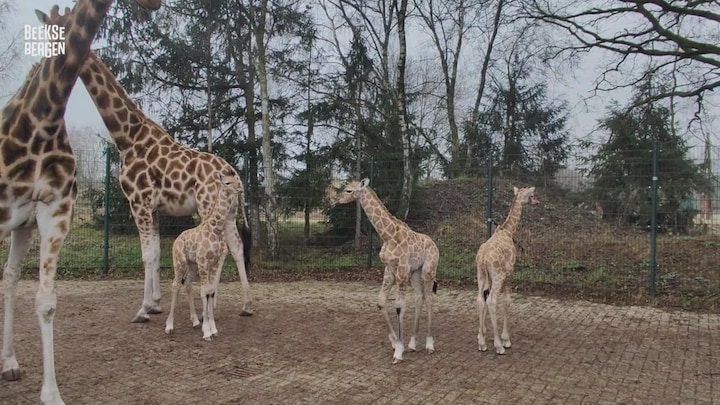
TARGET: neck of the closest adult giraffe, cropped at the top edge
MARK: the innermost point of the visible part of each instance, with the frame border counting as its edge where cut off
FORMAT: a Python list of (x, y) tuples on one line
[(50, 86)]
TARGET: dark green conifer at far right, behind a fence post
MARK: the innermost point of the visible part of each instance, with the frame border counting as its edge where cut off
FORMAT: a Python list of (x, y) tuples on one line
[(622, 166)]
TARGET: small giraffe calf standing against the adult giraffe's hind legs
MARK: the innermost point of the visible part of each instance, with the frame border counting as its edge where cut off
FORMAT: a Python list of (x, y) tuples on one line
[(202, 250)]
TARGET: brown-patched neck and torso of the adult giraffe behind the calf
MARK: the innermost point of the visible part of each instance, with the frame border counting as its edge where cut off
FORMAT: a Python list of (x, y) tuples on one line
[(157, 173)]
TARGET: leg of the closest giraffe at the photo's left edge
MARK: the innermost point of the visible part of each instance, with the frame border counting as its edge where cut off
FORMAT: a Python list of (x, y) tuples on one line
[(19, 246)]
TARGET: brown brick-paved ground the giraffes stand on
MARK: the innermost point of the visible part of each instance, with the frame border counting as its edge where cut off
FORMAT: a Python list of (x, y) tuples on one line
[(325, 342)]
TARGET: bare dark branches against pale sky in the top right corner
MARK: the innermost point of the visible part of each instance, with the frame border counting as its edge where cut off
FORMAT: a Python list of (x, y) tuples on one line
[(641, 38)]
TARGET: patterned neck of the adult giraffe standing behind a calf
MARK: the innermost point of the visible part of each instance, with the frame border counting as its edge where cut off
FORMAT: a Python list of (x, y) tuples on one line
[(121, 115)]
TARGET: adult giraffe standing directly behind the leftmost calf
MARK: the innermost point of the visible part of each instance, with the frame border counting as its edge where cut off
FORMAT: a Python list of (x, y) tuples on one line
[(159, 175)]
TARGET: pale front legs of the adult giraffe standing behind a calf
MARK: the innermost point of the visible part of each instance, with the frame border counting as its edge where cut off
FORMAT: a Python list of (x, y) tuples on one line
[(150, 244)]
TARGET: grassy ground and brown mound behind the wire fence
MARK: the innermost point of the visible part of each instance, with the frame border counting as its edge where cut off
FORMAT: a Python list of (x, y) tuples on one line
[(562, 252)]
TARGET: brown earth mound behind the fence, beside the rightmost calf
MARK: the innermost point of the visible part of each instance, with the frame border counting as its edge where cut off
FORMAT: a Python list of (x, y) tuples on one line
[(566, 250)]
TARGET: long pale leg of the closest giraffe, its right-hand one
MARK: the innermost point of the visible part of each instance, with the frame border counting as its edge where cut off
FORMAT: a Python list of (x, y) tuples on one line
[(53, 229)]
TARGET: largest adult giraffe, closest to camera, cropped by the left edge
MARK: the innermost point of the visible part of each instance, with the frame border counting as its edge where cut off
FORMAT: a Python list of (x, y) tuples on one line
[(37, 178)]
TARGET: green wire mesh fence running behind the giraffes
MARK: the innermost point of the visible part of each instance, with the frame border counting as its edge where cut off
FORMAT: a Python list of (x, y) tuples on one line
[(589, 236)]
